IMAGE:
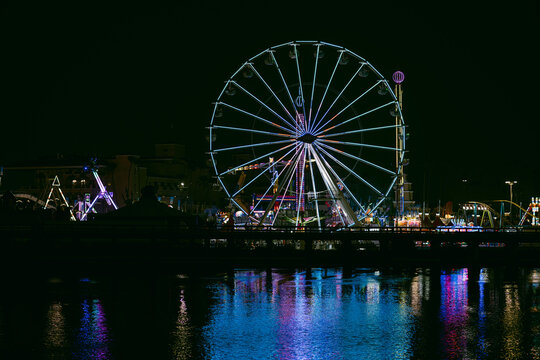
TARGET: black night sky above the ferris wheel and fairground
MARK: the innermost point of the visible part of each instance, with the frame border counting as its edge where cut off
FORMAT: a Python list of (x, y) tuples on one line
[(97, 80)]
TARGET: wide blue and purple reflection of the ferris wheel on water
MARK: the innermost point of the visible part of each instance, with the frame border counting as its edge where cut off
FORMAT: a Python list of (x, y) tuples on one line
[(308, 315)]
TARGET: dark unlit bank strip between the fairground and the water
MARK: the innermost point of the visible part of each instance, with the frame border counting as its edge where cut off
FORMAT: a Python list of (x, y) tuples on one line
[(176, 246)]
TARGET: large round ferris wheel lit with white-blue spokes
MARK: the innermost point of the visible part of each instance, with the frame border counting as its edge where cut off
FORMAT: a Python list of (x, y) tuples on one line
[(306, 131)]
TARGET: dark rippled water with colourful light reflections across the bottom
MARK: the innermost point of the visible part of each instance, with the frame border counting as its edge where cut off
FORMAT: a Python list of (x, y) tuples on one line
[(424, 313)]
